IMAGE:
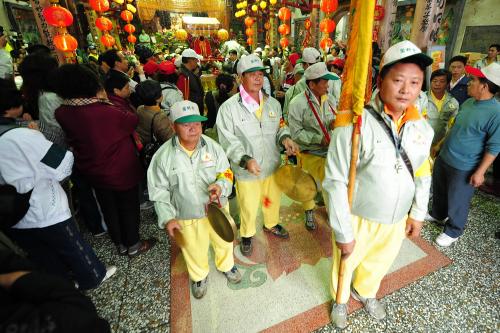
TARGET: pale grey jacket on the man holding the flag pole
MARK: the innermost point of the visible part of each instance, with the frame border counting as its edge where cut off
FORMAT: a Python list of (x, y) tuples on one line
[(384, 189)]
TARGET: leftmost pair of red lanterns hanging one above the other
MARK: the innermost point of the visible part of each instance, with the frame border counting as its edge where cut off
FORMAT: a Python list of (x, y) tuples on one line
[(60, 17)]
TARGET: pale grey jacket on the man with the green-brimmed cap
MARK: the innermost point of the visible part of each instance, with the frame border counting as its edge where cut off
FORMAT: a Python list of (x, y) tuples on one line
[(178, 183)]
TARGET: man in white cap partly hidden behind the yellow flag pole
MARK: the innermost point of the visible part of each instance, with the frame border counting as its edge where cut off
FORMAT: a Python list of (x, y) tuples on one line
[(311, 115)]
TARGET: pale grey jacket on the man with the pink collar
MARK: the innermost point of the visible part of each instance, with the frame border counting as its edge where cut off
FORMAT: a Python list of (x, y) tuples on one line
[(242, 133)]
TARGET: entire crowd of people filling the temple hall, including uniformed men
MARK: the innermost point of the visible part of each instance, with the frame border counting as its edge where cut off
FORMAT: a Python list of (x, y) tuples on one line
[(98, 142)]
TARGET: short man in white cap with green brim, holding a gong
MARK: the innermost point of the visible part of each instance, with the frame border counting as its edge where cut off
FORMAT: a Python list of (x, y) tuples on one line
[(187, 172)]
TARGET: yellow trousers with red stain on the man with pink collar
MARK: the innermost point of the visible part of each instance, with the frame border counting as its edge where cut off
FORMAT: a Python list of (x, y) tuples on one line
[(251, 194)]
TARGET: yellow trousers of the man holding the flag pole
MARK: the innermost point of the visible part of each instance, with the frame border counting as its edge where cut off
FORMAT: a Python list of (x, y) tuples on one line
[(377, 246)]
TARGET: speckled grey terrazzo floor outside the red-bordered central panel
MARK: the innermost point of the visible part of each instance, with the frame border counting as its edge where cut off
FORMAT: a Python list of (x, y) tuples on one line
[(462, 297)]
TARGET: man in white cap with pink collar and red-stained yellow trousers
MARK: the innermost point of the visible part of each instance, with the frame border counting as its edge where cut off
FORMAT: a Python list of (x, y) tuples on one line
[(252, 131)]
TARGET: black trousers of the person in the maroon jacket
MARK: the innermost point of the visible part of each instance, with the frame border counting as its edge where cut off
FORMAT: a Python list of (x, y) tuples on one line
[(121, 213)]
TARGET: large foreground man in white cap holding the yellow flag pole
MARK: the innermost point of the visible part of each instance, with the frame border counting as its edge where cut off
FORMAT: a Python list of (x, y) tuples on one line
[(392, 182)]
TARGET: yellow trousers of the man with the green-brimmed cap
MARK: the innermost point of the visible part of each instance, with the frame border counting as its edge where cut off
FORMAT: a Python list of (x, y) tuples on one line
[(198, 234)]
